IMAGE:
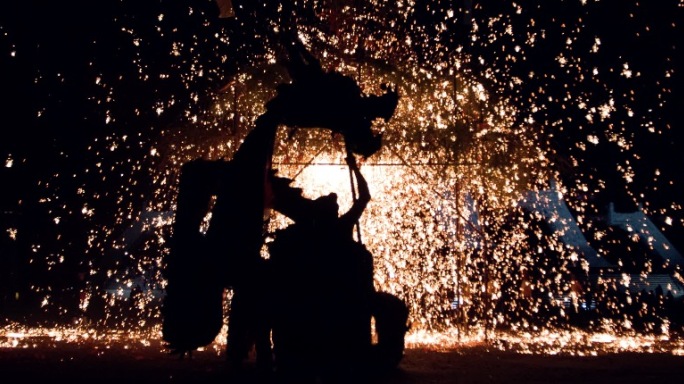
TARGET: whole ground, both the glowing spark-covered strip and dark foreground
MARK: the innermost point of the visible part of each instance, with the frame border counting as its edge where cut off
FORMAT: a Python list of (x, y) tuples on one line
[(86, 355)]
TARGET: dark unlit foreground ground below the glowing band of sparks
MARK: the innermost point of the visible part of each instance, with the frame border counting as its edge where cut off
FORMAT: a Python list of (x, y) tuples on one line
[(119, 363)]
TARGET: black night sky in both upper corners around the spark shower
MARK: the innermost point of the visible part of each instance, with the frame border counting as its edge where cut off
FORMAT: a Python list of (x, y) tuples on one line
[(53, 111)]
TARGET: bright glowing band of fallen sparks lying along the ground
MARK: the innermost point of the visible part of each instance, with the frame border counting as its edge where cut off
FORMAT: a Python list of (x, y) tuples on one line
[(549, 342)]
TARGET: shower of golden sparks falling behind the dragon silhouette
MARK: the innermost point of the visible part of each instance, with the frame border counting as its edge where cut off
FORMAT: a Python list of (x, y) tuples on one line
[(476, 129)]
